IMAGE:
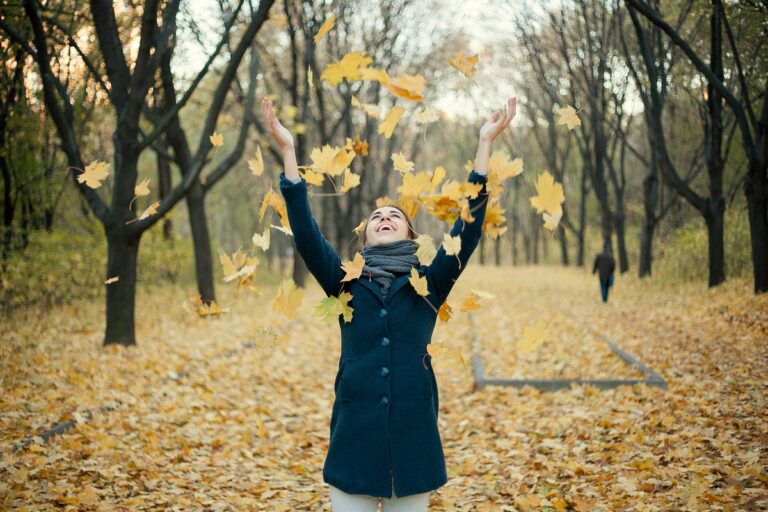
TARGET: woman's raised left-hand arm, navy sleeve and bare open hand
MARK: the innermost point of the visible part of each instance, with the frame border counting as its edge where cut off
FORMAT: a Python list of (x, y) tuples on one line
[(320, 257)]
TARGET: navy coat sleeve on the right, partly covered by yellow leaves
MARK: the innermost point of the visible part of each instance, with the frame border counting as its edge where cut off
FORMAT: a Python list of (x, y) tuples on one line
[(444, 270)]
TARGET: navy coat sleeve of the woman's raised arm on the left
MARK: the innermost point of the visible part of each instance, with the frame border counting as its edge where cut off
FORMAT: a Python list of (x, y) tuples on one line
[(320, 257)]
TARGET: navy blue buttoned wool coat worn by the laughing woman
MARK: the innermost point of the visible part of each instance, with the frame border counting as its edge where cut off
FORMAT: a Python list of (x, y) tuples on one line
[(384, 431)]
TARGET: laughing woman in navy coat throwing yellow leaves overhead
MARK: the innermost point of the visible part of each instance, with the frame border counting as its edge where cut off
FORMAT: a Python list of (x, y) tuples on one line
[(384, 438)]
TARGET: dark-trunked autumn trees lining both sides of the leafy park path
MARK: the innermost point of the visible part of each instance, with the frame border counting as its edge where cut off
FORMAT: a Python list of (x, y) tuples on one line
[(68, 67)]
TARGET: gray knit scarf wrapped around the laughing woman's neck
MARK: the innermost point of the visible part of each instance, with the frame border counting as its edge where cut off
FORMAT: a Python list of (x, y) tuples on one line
[(383, 261)]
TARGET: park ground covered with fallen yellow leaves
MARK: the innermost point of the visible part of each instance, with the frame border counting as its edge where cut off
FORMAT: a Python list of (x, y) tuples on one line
[(232, 413)]
